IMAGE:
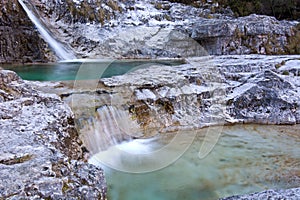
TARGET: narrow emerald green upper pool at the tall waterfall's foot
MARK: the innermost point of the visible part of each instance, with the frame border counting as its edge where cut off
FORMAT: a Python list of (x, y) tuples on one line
[(83, 70)]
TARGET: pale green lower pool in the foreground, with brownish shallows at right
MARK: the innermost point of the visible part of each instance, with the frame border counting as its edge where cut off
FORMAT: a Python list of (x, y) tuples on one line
[(246, 159)]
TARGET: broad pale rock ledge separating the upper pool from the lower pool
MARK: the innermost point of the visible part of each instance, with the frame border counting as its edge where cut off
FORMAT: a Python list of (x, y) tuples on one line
[(205, 91)]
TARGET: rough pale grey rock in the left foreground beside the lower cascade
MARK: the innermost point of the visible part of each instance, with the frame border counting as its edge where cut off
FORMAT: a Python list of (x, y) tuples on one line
[(41, 155)]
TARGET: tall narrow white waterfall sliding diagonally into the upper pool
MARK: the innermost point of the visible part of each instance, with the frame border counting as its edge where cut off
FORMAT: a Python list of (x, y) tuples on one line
[(57, 47)]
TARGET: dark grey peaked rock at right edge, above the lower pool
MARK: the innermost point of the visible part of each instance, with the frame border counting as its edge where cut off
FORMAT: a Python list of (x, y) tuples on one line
[(266, 98)]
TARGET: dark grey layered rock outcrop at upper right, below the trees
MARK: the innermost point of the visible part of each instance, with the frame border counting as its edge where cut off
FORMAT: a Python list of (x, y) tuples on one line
[(244, 35)]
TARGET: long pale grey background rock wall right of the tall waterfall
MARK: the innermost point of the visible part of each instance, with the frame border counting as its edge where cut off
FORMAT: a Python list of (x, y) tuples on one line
[(150, 29)]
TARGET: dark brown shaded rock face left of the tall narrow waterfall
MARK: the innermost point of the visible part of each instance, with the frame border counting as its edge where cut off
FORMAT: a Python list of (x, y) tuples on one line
[(19, 40)]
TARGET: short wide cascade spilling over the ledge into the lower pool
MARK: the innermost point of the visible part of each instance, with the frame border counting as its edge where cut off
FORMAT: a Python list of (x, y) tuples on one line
[(110, 126)]
